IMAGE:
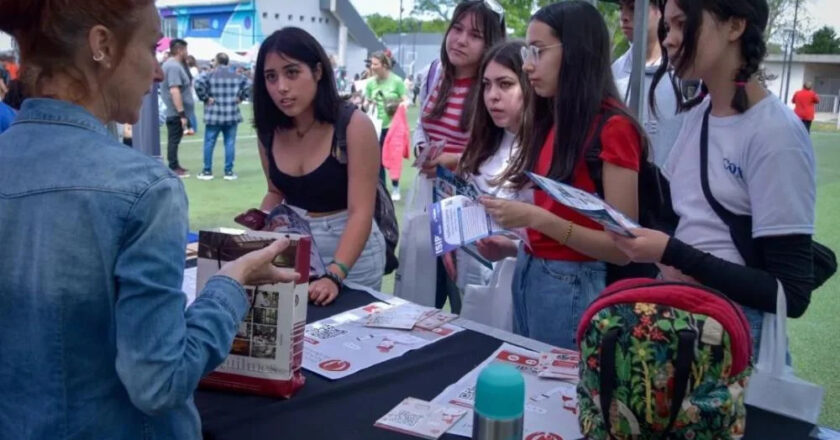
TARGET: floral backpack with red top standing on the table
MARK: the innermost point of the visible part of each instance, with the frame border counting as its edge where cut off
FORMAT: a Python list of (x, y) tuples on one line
[(663, 360)]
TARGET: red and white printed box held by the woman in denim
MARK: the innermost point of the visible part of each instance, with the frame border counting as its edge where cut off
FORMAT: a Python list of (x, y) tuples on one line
[(267, 351)]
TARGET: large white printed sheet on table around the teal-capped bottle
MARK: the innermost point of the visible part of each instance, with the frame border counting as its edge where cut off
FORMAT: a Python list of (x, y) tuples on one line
[(550, 405)]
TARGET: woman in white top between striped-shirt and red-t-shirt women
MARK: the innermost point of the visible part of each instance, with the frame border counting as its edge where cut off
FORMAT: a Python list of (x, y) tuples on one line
[(493, 141)]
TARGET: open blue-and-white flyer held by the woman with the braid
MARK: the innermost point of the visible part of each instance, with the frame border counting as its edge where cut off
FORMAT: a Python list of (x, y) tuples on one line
[(587, 204)]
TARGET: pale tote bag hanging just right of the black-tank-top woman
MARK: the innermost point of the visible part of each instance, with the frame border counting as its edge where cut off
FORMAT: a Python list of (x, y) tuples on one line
[(416, 278)]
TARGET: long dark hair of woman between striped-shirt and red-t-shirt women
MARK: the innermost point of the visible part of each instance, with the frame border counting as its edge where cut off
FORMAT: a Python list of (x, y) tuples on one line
[(485, 136)]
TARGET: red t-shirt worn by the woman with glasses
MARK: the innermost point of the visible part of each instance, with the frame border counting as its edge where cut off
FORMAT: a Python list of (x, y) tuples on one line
[(620, 146)]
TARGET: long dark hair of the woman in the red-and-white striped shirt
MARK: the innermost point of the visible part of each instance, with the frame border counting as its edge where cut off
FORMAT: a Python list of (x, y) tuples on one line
[(493, 29)]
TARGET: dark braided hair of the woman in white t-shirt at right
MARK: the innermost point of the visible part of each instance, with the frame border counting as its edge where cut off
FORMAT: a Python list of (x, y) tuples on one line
[(753, 48)]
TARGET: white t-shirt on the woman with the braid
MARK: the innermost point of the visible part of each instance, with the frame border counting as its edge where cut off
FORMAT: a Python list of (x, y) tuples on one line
[(761, 163)]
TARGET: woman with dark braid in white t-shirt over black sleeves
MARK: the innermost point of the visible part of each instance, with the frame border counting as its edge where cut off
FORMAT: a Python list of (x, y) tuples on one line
[(760, 164)]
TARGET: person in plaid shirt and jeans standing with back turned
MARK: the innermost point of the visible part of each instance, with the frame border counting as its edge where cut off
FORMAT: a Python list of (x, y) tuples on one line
[(221, 90)]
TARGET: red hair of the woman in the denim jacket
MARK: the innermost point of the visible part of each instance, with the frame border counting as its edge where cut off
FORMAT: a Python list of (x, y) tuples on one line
[(49, 34)]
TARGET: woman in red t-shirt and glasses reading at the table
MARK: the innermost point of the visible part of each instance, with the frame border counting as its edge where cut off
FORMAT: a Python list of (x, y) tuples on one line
[(563, 270)]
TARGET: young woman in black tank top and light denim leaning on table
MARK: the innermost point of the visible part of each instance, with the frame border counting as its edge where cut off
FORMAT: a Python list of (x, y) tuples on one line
[(296, 106)]
